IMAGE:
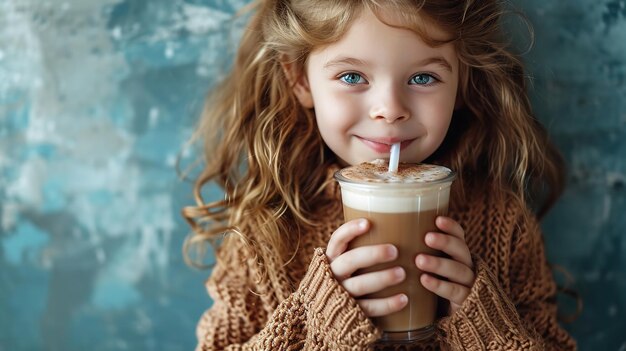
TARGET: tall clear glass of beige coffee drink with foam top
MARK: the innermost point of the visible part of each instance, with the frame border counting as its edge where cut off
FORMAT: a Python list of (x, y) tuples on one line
[(401, 208)]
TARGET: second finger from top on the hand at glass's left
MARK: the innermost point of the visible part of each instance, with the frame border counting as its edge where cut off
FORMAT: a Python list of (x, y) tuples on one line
[(362, 257)]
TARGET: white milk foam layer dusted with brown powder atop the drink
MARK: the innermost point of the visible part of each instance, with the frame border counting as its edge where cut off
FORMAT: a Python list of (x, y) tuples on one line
[(421, 187)]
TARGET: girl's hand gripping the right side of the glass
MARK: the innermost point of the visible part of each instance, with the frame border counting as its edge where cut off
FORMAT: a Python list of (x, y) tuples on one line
[(458, 269)]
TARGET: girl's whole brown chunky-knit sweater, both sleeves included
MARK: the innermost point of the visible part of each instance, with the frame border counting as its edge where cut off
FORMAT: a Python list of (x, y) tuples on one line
[(511, 305)]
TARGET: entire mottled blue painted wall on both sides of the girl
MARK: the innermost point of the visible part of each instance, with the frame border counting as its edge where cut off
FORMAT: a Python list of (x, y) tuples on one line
[(98, 97)]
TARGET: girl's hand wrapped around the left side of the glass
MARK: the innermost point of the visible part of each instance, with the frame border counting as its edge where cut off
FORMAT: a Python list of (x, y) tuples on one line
[(345, 263)]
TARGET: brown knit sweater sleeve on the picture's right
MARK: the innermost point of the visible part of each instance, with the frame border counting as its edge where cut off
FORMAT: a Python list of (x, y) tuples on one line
[(525, 318)]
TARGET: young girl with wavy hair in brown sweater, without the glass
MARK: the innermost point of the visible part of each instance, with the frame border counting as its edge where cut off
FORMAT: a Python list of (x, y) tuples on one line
[(318, 85)]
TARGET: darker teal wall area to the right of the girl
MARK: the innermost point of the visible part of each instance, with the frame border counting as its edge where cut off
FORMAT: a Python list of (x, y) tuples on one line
[(579, 64)]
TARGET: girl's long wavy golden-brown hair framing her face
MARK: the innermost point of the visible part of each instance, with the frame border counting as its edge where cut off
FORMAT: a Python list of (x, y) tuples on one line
[(264, 150)]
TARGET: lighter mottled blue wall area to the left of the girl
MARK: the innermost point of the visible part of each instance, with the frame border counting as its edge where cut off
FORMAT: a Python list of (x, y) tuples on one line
[(97, 99)]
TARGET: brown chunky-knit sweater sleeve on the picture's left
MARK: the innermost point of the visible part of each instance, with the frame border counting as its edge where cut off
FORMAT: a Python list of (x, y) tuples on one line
[(319, 315)]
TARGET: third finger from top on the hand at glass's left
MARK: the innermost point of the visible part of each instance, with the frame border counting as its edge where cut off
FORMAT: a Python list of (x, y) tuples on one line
[(373, 282)]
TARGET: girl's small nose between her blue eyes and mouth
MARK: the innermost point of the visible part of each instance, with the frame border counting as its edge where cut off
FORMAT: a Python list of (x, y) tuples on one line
[(390, 105)]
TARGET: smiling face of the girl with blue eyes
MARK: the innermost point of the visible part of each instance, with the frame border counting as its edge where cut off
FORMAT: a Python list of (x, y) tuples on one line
[(381, 85)]
